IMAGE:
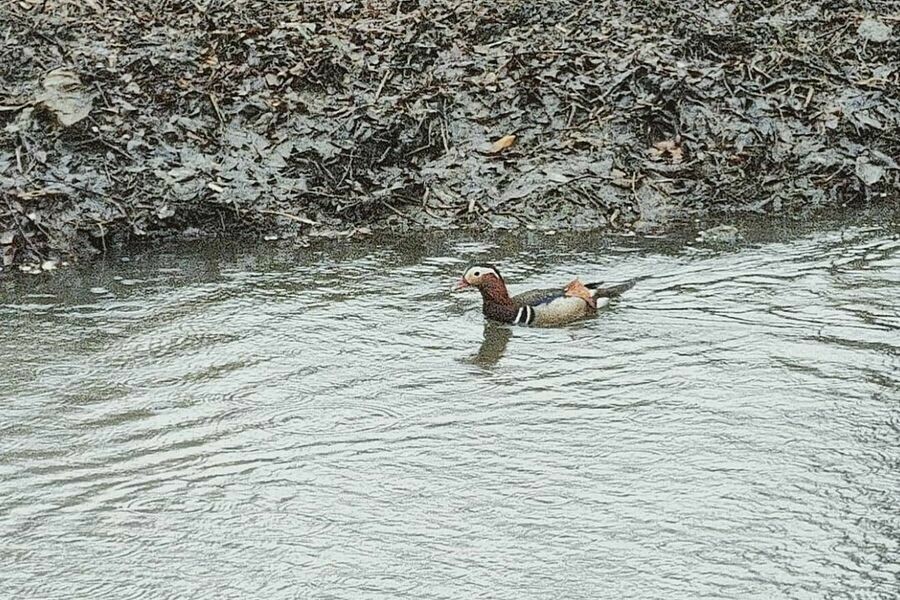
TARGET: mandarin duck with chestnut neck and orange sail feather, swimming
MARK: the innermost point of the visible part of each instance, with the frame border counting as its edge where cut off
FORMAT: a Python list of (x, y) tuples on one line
[(546, 307)]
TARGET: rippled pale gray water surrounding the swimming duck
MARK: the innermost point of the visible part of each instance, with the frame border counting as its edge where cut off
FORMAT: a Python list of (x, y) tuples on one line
[(216, 422)]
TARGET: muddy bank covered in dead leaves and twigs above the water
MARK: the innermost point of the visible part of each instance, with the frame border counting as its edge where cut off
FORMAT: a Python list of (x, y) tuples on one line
[(144, 120)]
